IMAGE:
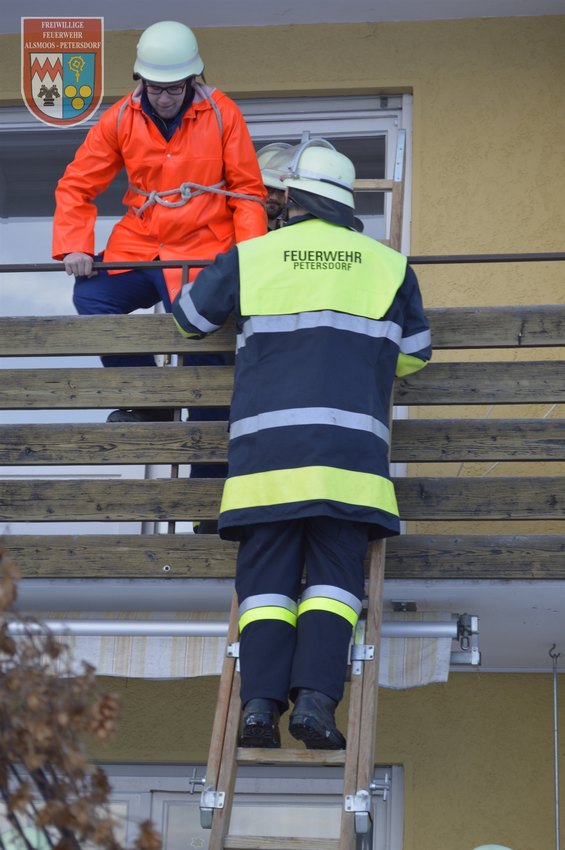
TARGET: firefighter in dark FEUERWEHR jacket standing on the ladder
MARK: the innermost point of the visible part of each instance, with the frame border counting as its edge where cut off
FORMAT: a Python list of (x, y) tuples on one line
[(326, 318)]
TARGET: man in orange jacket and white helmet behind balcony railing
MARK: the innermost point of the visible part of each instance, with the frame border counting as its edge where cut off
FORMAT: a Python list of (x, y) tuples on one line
[(194, 190)]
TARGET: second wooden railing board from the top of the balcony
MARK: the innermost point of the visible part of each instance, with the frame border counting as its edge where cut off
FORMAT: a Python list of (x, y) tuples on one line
[(211, 386)]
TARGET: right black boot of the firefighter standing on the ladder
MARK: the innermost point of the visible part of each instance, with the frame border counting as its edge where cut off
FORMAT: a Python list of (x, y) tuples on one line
[(312, 721)]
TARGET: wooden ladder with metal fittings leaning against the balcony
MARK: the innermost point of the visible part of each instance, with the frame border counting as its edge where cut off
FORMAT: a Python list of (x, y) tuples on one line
[(358, 757)]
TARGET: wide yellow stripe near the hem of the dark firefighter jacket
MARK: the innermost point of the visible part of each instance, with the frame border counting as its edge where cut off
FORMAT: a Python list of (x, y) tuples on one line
[(327, 483)]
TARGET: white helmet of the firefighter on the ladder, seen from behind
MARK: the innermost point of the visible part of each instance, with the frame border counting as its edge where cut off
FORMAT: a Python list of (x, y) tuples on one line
[(318, 168)]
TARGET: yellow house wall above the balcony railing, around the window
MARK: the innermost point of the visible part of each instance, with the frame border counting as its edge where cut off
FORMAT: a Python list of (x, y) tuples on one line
[(489, 120)]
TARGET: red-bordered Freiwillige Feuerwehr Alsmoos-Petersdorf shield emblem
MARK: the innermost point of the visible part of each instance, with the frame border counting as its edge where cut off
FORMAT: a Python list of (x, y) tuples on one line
[(62, 68)]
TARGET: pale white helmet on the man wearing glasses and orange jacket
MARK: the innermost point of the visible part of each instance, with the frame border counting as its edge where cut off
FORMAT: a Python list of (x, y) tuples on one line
[(167, 52)]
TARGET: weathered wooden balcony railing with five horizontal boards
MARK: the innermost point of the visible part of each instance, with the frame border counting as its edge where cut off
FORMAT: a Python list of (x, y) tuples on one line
[(468, 525)]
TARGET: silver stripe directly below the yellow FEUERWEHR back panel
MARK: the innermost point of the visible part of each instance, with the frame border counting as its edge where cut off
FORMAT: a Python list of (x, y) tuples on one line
[(320, 319)]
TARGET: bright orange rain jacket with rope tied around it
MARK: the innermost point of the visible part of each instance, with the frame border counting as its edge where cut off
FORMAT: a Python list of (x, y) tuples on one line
[(200, 151)]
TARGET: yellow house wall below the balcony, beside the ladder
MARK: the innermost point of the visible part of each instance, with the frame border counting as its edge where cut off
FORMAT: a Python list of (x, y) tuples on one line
[(477, 751)]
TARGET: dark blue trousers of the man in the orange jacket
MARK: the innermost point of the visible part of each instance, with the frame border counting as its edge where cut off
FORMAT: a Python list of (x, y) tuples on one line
[(106, 294)]
